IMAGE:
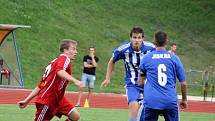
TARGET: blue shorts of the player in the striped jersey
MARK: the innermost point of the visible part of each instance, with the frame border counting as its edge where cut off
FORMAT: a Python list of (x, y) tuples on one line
[(133, 93)]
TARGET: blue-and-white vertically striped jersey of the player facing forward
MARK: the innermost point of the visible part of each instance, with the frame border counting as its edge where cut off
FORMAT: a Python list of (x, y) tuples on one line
[(131, 59)]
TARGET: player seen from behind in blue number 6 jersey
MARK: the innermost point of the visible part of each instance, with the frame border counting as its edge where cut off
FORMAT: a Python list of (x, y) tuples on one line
[(160, 69)]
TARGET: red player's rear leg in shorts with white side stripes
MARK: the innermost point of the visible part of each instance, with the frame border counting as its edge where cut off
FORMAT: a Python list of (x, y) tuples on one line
[(43, 113)]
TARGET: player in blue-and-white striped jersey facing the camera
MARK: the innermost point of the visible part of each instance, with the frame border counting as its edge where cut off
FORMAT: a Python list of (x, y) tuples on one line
[(131, 53)]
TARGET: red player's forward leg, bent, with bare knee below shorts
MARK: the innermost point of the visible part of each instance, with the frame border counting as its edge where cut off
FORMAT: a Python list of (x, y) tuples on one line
[(67, 109)]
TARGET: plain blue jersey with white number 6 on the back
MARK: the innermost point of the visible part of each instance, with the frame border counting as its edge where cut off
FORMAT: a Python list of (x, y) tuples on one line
[(161, 69)]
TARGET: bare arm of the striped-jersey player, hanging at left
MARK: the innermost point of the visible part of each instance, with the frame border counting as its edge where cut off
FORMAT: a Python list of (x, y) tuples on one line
[(110, 69)]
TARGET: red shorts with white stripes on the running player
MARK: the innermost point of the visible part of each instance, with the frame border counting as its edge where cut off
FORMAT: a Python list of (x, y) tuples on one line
[(44, 113)]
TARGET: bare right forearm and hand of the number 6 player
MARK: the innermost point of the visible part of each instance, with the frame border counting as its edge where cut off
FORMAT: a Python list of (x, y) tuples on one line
[(183, 103)]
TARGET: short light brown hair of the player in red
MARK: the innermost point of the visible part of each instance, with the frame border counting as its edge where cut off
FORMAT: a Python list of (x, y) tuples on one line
[(65, 43)]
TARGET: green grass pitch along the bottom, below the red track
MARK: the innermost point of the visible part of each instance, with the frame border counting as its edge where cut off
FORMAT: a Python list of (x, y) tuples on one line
[(12, 112)]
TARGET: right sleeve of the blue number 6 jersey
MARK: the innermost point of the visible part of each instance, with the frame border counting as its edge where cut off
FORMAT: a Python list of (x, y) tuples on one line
[(180, 72)]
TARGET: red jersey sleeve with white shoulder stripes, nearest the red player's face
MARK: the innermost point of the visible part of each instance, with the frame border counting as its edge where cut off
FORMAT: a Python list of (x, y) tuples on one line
[(63, 63)]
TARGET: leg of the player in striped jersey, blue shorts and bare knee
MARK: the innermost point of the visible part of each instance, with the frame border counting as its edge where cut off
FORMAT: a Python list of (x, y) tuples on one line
[(132, 94)]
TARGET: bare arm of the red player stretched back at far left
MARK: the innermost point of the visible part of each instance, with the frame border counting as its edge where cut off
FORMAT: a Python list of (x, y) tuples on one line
[(24, 103)]
